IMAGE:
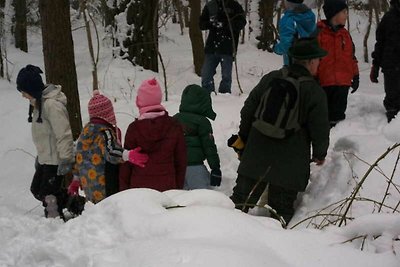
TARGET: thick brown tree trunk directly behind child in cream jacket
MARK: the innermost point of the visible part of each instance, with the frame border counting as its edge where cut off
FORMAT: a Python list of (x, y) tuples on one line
[(59, 59)]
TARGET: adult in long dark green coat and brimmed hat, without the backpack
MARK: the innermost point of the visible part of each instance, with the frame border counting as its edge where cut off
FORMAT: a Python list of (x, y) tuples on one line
[(284, 164)]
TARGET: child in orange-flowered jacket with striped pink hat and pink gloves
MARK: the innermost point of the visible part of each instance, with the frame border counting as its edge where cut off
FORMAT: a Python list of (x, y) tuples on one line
[(99, 152)]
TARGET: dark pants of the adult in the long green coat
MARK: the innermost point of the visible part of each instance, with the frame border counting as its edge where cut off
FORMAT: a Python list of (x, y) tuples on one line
[(279, 198)]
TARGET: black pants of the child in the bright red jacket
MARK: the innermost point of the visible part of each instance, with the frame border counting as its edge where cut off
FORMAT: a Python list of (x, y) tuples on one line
[(337, 102)]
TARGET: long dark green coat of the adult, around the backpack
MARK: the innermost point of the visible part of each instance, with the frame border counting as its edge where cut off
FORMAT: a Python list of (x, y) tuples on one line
[(289, 158)]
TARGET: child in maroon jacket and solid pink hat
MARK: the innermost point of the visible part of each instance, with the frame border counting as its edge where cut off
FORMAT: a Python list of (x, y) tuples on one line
[(161, 137)]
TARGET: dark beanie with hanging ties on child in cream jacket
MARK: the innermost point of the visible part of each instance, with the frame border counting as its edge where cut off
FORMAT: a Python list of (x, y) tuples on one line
[(30, 82)]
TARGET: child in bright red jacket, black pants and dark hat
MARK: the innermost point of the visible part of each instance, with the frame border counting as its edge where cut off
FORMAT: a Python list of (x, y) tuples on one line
[(338, 71)]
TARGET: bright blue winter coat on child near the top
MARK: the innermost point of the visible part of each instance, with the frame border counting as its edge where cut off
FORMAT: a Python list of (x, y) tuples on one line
[(296, 23)]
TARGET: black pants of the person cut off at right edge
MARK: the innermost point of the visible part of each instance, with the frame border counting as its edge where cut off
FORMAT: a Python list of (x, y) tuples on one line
[(392, 93)]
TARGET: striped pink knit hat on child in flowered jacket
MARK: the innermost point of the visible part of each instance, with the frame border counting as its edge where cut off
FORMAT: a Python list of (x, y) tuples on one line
[(101, 107)]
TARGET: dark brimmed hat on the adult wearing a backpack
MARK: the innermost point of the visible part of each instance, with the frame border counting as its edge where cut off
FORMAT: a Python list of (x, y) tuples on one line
[(306, 48)]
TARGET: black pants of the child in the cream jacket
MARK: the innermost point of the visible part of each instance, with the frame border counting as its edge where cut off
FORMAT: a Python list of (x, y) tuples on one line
[(46, 182)]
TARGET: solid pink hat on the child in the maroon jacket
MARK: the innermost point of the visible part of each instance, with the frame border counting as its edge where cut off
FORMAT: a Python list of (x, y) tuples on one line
[(149, 96)]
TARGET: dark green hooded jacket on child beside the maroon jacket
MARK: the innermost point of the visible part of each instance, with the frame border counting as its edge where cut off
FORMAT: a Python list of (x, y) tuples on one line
[(194, 110)]
